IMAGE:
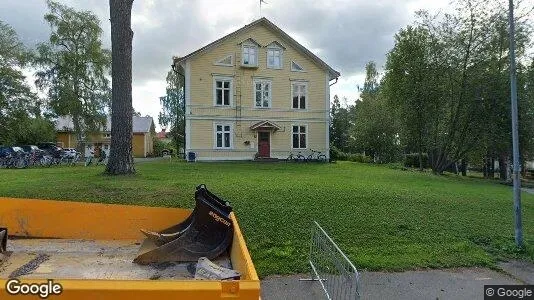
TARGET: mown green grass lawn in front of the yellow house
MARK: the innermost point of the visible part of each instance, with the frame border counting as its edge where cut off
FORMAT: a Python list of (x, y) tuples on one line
[(383, 218)]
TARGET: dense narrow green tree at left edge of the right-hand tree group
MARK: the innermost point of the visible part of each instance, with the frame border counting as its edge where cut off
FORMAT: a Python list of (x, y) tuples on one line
[(409, 85)]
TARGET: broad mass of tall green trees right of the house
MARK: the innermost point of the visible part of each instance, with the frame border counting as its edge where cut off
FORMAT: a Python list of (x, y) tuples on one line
[(447, 80)]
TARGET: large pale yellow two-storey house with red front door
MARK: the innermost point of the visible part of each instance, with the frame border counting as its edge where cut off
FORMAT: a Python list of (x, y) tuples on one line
[(255, 92)]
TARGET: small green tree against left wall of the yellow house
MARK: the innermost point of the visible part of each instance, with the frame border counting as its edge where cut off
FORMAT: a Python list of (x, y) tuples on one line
[(173, 109)]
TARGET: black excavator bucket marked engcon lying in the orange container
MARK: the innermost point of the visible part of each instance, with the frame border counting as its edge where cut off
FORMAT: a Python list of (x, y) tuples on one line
[(207, 232)]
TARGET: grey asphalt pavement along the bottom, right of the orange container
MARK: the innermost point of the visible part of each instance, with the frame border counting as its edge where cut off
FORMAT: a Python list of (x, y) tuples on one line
[(464, 283)]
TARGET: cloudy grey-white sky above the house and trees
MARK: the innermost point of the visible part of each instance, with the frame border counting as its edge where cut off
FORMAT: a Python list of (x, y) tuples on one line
[(344, 33)]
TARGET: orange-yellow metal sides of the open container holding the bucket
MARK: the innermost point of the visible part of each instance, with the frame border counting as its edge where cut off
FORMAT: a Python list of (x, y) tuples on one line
[(94, 221)]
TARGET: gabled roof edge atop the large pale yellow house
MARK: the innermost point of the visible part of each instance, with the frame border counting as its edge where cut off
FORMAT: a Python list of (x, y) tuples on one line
[(264, 21)]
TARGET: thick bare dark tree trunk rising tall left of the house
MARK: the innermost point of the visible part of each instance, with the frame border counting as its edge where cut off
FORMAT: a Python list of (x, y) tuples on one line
[(120, 157)]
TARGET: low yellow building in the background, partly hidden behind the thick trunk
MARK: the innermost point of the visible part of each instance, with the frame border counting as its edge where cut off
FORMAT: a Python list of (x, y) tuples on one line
[(142, 140)]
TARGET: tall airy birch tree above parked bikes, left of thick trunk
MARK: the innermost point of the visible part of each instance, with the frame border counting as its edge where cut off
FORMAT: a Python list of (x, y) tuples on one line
[(73, 68)]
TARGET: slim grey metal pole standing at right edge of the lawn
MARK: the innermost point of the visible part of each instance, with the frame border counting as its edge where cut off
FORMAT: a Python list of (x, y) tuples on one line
[(515, 134)]
